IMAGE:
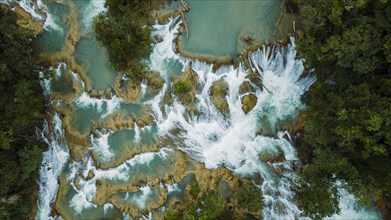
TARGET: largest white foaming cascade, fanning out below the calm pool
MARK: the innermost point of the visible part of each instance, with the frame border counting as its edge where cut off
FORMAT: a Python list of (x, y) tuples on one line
[(234, 143)]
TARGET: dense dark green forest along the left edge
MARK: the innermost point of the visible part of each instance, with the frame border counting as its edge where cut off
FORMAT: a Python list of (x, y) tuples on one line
[(22, 110)]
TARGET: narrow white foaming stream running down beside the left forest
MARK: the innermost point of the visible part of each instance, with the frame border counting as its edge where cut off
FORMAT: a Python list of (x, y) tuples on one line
[(54, 160)]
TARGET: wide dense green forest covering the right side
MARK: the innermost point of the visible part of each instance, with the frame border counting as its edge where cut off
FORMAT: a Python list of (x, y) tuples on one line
[(347, 132)]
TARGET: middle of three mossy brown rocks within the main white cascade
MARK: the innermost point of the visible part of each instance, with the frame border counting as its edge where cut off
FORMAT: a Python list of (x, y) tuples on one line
[(218, 93)]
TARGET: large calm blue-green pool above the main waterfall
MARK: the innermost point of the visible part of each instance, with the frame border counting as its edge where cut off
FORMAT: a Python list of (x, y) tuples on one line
[(215, 26)]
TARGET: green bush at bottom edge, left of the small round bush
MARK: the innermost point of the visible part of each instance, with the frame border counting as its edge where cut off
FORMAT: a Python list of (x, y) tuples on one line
[(209, 207)]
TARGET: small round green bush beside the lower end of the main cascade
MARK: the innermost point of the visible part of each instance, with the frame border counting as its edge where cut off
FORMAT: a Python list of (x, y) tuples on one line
[(249, 197)]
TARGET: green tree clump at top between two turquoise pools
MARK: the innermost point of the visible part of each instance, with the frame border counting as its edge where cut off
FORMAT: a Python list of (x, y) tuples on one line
[(123, 30)]
